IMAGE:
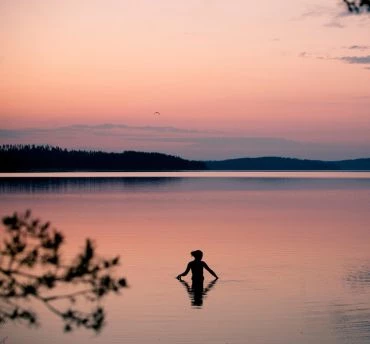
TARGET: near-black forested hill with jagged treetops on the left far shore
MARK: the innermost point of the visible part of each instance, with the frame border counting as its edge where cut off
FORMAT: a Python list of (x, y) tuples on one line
[(16, 158)]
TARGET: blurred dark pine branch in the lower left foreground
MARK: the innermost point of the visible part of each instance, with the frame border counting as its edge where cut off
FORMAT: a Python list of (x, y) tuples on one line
[(31, 268)]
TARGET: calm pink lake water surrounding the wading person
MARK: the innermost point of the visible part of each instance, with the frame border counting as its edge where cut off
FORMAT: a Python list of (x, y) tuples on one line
[(292, 251)]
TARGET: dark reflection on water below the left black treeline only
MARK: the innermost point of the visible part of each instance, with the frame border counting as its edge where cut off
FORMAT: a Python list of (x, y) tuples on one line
[(78, 184)]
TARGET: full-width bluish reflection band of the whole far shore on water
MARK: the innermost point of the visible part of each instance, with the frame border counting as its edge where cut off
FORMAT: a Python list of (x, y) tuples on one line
[(52, 185)]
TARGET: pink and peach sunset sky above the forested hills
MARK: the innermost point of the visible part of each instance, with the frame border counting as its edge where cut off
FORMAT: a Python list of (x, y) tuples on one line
[(229, 78)]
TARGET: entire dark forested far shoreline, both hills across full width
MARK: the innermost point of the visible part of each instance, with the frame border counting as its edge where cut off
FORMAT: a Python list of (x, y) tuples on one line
[(32, 158)]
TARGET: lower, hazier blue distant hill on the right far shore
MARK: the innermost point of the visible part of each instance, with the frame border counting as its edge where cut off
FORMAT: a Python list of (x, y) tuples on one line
[(281, 164)]
